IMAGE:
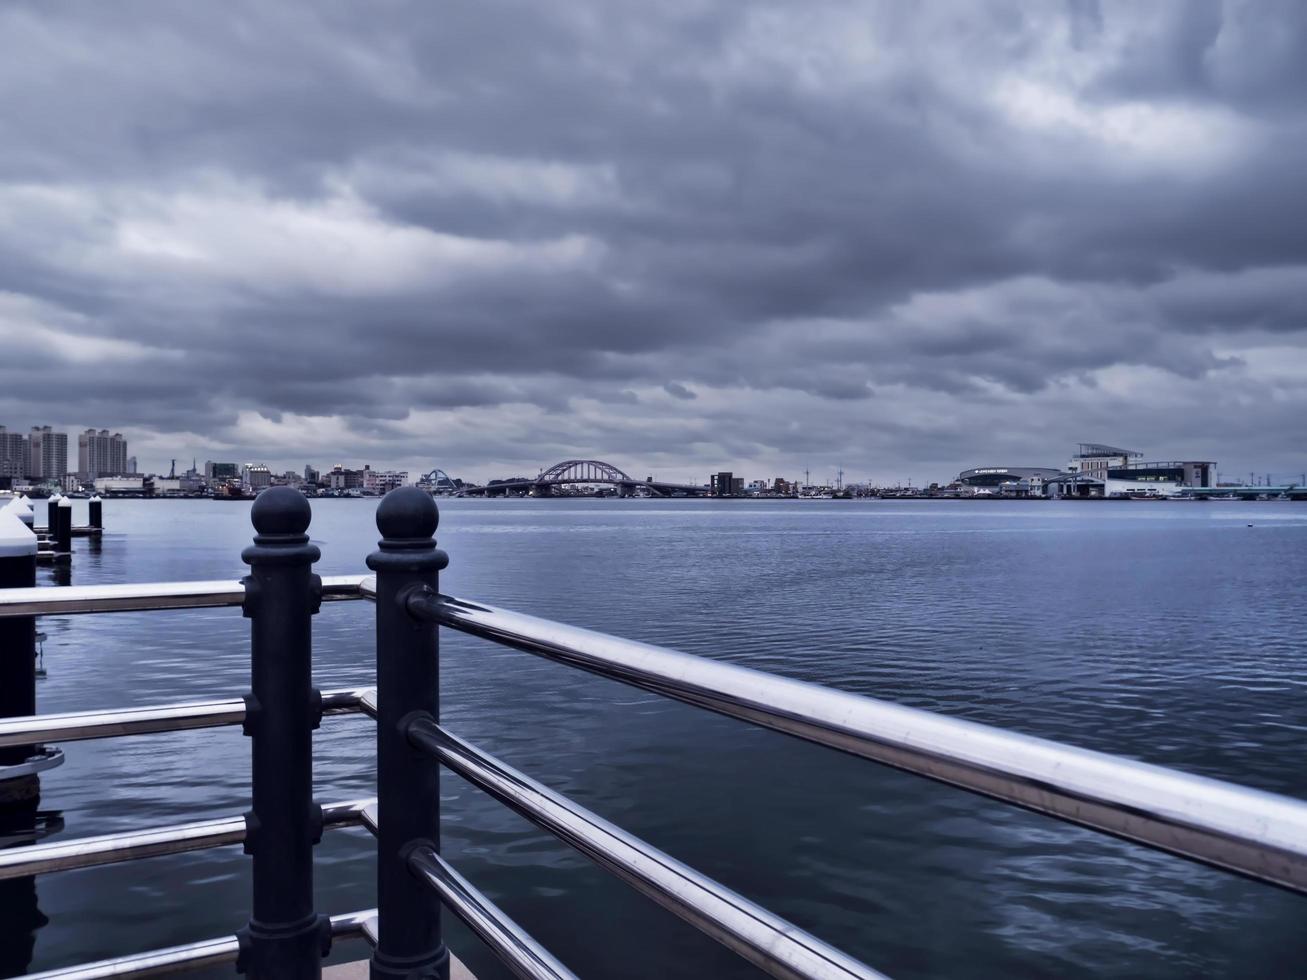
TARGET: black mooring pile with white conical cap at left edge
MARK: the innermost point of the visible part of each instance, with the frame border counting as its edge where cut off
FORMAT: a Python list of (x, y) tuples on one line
[(18, 649)]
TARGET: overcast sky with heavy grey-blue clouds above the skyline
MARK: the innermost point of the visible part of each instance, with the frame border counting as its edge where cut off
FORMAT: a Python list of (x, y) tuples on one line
[(905, 238)]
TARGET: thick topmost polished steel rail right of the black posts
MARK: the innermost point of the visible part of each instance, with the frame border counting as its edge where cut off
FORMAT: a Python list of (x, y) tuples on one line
[(1248, 832)]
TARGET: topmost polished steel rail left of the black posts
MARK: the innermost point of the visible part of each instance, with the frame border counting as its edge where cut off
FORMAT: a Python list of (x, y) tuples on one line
[(69, 600)]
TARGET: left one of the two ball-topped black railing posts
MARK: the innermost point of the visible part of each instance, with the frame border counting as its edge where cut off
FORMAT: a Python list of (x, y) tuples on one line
[(286, 940)]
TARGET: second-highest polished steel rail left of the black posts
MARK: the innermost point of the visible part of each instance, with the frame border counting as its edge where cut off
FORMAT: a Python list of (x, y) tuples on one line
[(146, 721)]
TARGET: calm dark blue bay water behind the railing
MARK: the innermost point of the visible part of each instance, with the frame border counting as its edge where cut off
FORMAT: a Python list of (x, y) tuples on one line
[(1172, 633)]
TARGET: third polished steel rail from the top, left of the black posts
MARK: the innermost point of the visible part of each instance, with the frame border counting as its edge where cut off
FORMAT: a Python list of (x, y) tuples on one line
[(114, 849)]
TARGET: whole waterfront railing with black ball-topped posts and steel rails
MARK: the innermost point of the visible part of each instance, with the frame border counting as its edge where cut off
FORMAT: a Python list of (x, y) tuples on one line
[(1259, 836)]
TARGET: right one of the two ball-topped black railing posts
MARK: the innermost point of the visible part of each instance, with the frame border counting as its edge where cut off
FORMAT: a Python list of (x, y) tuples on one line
[(408, 792)]
